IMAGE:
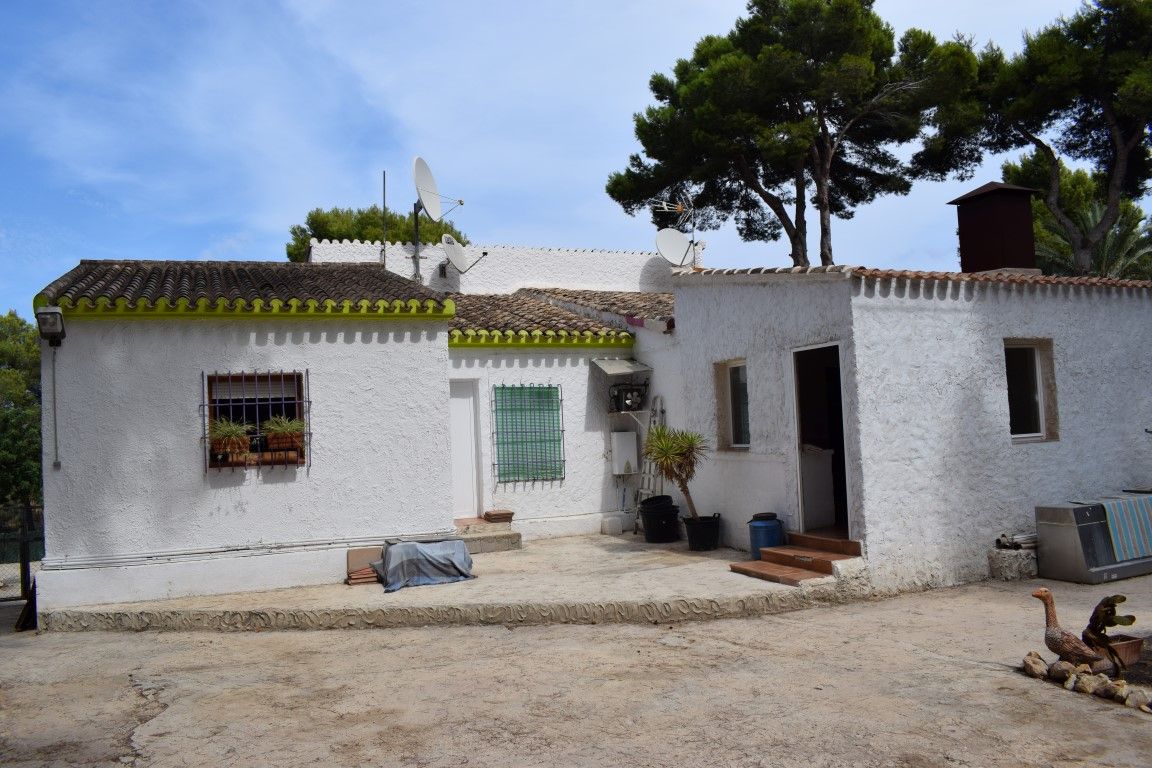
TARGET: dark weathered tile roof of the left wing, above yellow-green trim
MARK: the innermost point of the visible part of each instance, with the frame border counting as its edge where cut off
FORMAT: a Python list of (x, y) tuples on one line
[(149, 282)]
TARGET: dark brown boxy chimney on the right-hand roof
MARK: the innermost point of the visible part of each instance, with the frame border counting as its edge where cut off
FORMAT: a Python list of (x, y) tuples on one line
[(996, 229)]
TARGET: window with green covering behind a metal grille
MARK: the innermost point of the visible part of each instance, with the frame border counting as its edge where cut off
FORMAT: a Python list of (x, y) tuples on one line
[(528, 429)]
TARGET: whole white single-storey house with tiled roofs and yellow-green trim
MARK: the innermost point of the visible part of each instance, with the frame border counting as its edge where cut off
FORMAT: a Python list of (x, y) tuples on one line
[(918, 414)]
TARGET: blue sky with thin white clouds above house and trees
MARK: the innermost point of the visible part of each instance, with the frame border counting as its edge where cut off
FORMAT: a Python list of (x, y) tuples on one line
[(204, 131)]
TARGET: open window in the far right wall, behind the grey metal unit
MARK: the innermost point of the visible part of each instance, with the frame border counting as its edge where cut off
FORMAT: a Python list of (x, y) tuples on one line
[(1032, 390)]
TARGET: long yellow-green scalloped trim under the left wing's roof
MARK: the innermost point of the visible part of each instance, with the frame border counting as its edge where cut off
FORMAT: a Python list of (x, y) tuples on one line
[(241, 309)]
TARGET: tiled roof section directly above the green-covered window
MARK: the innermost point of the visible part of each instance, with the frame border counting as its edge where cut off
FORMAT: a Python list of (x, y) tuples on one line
[(519, 313)]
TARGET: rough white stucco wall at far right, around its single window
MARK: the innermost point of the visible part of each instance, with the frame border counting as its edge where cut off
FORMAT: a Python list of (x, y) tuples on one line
[(942, 476)]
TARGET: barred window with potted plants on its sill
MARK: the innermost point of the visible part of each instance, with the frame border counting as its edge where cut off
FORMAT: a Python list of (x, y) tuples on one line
[(256, 419)]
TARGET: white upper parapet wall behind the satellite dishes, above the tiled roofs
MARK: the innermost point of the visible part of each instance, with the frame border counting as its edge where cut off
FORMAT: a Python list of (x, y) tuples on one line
[(507, 269)]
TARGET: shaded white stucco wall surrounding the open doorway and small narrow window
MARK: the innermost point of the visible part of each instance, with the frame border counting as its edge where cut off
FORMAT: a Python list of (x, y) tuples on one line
[(761, 320)]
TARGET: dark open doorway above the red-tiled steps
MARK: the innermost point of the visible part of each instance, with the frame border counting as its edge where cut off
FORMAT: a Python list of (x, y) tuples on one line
[(821, 429)]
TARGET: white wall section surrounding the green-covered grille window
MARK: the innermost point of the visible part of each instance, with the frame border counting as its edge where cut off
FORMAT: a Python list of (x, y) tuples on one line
[(567, 507)]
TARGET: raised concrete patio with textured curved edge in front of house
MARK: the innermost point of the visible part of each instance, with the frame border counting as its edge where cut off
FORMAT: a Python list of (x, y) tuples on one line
[(571, 581)]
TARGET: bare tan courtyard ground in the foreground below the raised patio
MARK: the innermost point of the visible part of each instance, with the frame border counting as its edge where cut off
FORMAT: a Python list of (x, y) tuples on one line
[(919, 681)]
